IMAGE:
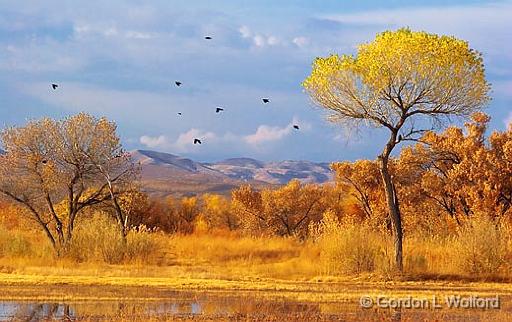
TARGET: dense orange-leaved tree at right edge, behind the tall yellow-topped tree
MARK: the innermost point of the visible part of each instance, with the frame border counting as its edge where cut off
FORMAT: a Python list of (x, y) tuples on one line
[(464, 173)]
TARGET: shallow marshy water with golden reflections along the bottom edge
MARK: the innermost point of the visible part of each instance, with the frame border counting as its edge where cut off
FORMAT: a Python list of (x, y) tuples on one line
[(233, 306)]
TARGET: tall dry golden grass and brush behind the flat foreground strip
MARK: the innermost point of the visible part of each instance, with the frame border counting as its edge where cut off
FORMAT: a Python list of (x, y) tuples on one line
[(335, 249)]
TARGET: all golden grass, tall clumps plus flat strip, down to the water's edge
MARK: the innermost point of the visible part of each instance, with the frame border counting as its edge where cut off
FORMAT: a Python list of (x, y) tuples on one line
[(341, 262)]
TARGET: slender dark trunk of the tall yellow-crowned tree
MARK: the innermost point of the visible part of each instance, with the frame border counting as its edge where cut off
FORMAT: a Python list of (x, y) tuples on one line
[(394, 210)]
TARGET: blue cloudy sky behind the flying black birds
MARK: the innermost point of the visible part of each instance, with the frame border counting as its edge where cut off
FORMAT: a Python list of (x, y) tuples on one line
[(120, 59)]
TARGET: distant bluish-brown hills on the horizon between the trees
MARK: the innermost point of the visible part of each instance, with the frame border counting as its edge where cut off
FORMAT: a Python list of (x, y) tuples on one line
[(168, 174)]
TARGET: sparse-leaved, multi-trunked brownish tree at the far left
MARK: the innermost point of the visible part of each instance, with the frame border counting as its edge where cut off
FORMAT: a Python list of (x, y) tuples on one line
[(49, 162)]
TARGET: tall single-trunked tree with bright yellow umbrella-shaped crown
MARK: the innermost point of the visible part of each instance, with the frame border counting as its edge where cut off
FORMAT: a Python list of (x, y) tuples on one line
[(404, 82)]
